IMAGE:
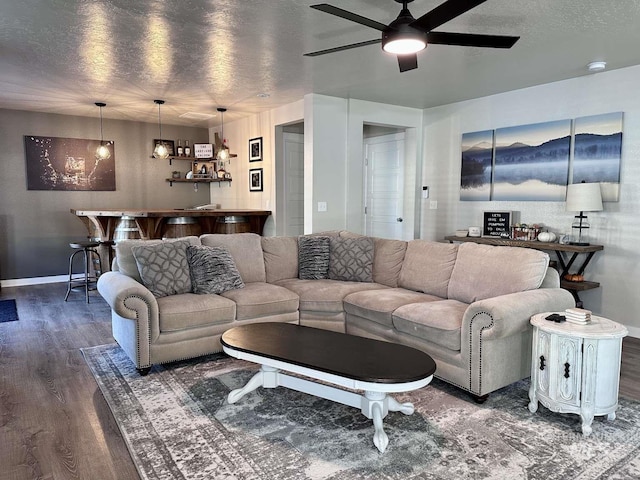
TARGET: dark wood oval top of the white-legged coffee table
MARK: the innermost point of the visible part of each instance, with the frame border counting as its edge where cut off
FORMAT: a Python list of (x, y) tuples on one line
[(349, 356)]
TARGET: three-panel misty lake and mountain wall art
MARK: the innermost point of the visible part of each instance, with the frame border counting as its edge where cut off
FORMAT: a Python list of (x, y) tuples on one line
[(536, 162)]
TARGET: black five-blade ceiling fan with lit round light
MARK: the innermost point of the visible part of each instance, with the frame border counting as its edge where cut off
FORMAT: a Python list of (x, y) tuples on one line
[(406, 35)]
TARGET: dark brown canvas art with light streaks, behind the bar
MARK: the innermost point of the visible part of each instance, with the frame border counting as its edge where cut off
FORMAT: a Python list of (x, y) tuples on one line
[(68, 164)]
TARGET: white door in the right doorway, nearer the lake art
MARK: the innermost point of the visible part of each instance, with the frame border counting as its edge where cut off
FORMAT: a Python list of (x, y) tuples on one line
[(384, 178)]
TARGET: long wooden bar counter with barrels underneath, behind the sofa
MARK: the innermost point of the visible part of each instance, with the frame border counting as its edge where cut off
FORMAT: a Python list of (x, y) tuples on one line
[(151, 223)]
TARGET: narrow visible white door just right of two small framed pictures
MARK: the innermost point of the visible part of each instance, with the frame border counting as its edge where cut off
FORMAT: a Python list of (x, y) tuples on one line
[(293, 147)]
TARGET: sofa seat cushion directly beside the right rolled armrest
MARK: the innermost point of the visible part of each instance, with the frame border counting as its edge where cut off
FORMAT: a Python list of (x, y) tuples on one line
[(437, 322)]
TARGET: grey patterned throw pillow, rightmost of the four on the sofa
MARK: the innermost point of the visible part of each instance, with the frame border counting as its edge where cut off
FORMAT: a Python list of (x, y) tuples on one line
[(351, 259)]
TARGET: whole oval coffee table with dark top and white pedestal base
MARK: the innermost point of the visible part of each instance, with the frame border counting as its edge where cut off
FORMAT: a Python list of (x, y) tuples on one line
[(348, 361)]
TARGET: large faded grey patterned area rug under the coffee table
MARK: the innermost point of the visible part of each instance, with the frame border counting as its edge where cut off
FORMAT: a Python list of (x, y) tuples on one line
[(178, 425)]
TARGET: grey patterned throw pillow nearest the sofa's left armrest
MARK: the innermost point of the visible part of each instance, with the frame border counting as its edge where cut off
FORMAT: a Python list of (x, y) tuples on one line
[(163, 267)]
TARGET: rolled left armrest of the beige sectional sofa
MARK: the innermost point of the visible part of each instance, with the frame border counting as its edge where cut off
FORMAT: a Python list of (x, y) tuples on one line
[(127, 297)]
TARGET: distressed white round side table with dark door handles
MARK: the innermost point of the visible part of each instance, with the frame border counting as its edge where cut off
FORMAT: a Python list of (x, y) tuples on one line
[(576, 368)]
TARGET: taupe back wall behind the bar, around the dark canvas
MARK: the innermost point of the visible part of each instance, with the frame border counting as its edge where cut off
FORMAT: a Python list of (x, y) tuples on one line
[(36, 226)]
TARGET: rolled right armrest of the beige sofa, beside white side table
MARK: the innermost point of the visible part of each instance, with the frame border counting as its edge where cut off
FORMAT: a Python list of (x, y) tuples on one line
[(506, 315)]
